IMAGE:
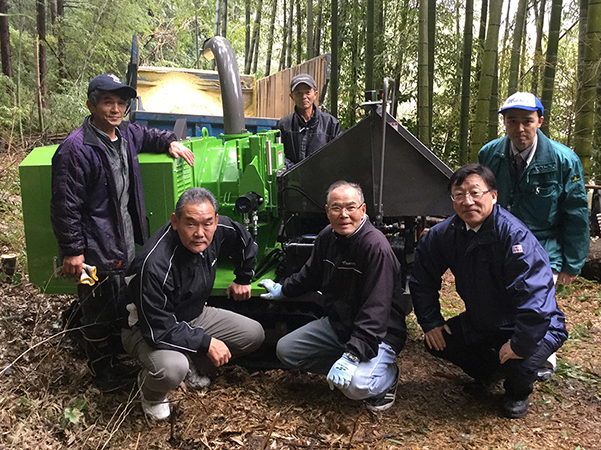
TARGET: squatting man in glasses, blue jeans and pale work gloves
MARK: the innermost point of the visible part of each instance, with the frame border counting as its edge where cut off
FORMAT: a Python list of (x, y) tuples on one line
[(356, 272)]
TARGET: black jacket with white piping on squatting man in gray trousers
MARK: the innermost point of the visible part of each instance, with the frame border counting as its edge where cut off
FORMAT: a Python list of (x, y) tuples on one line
[(172, 284)]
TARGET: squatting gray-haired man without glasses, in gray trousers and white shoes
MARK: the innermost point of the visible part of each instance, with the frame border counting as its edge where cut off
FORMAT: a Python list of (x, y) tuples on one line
[(170, 331)]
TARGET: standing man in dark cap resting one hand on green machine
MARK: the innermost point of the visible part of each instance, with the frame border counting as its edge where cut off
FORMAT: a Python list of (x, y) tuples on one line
[(97, 211)]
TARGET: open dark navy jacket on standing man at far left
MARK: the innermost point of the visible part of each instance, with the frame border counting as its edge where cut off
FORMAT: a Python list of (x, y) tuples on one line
[(84, 208)]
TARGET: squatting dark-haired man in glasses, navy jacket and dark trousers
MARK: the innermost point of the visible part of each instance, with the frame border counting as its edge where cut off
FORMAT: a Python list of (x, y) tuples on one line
[(511, 323)]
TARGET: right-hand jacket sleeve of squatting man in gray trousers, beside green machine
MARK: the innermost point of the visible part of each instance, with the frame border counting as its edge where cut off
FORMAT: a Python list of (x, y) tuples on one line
[(238, 245)]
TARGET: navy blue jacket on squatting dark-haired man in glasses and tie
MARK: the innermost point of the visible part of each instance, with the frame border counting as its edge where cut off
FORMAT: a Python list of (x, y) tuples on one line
[(502, 274)]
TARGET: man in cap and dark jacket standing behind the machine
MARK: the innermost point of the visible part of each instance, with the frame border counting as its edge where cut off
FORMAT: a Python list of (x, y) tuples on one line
[(307, 129)]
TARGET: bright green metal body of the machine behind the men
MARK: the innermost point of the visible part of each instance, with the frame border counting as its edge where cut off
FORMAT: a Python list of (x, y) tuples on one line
[(228, 170)]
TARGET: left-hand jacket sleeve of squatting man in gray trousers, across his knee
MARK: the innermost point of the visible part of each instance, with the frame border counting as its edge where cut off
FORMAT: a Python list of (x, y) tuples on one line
[(157, 319)]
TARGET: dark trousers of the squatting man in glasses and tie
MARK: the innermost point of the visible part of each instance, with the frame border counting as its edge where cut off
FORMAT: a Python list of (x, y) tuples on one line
[(478, 356)]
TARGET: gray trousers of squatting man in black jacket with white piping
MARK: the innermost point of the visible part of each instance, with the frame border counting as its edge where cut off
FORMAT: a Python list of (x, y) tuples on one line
[(164, 370)]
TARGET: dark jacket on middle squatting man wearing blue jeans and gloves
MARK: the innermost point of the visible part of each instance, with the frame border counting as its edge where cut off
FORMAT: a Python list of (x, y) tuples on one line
[(358, 277)]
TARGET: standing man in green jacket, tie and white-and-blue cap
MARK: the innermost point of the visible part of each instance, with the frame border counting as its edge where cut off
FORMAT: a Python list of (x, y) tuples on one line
[(542, 183)]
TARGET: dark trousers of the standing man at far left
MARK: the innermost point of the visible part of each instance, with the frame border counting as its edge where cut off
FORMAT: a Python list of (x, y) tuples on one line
[(101, 315)]
